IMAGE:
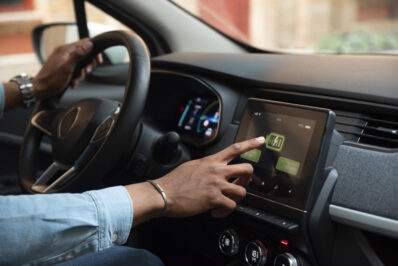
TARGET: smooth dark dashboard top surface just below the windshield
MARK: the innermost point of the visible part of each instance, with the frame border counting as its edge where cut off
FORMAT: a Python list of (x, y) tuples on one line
[(372, 78)]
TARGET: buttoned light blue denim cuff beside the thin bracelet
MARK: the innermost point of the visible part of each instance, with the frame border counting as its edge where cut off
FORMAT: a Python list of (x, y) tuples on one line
[(115, 215)]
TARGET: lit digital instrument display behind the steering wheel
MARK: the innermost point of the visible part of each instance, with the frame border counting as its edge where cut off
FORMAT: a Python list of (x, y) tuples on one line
[(199, 118)]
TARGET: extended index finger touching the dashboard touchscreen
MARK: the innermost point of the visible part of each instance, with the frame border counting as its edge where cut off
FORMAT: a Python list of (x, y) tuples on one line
[(228, 154)]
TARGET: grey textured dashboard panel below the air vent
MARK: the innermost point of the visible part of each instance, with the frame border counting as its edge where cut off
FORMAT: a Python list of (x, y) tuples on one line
[(367, 181)]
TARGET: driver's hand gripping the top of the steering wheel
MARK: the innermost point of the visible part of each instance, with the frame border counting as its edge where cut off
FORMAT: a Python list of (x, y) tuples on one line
[(56, 73)]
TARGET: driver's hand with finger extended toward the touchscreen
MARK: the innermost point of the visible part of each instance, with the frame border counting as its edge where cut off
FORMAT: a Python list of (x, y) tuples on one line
[(201, 185)]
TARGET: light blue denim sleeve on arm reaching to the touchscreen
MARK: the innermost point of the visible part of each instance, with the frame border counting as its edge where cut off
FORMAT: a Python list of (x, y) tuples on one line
[(48, 229)]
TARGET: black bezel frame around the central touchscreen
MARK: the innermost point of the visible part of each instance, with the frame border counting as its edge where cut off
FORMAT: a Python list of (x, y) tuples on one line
[(320, 115)]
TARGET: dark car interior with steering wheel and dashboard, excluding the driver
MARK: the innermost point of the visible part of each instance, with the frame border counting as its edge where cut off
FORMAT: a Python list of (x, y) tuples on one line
[(173, 89)]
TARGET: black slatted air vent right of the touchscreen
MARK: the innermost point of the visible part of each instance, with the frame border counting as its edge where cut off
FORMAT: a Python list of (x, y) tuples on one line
[(380, 131)]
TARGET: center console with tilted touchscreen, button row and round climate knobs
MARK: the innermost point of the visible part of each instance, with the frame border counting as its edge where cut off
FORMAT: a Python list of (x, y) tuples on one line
[(270, 226)]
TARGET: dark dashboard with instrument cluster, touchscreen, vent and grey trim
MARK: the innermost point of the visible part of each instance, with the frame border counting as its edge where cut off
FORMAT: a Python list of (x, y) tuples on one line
[(321, 193)]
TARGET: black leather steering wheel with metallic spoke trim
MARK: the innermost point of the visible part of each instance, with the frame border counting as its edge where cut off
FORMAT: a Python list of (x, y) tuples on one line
[(88, 137)]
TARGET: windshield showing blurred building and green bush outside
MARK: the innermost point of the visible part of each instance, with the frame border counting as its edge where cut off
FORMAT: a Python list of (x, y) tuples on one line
[(304, 26)]
